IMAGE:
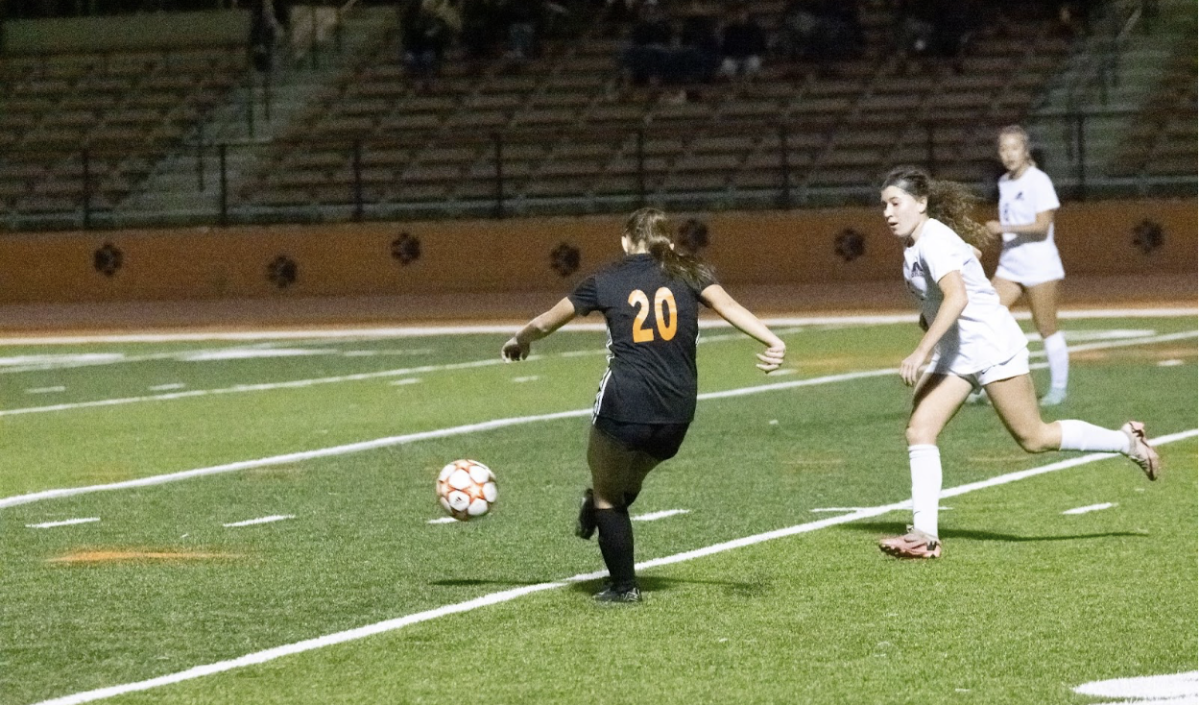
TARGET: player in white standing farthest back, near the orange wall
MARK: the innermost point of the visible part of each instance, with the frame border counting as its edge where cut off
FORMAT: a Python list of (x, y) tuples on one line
[(1029, 260)]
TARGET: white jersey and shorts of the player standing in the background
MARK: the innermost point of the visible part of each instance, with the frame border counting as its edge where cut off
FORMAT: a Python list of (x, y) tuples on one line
[(1027, 260)]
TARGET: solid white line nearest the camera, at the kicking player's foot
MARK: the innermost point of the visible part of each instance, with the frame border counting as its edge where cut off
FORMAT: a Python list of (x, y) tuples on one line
[(511, 595)]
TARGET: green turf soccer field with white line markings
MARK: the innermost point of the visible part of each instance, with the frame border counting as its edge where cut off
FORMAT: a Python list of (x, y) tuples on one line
[(355, 596)]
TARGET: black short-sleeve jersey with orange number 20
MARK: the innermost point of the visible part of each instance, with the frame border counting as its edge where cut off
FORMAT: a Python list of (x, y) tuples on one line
[(653, 326)]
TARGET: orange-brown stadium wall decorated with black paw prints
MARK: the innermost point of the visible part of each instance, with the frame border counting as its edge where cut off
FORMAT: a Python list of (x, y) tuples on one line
[(777, 248)]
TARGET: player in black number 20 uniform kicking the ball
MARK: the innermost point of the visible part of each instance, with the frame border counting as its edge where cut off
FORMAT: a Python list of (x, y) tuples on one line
[(651, 302)]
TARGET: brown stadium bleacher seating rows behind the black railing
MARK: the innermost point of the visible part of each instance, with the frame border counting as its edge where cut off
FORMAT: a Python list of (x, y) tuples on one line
[(83, 131)]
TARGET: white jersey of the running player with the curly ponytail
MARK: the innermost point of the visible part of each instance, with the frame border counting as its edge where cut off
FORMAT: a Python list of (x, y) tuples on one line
[(986, 334)]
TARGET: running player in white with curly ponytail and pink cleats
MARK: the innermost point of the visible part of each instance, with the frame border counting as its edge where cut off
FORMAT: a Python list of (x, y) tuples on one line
[(971, 341)]
